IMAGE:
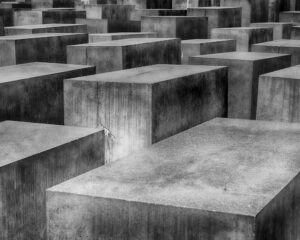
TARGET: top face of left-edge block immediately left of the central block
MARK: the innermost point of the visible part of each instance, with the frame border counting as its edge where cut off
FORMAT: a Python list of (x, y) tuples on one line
[(35, 69)]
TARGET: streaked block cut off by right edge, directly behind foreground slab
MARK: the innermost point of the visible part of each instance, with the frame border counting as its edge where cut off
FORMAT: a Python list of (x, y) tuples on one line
[(278, 95)]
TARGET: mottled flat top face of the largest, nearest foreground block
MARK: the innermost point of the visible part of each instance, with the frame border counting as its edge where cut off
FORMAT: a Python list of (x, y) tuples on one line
[(224, 165)]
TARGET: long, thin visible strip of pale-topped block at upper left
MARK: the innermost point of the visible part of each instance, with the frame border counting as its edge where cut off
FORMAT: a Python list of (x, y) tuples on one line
[(46, 28)]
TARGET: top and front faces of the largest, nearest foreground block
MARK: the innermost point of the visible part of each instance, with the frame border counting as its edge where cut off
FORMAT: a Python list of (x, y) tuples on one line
[(208, 182)]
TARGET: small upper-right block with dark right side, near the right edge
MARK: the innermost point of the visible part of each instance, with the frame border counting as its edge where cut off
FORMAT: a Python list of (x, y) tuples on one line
[(280, 30)]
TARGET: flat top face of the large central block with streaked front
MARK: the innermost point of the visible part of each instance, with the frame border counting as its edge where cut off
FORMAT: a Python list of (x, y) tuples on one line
[(148, 74)]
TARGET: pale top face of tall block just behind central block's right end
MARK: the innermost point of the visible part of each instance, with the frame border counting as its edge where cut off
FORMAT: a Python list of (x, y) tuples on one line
[(241, 56)]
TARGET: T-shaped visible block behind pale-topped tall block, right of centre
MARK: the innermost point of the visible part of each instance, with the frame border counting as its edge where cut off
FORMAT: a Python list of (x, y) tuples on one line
[(244, 36)]
